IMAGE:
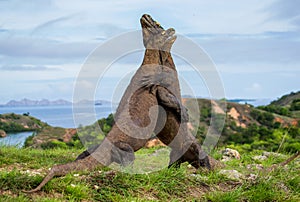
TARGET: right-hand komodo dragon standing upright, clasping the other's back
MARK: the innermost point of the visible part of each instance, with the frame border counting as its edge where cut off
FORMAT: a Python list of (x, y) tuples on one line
[(175, 133)]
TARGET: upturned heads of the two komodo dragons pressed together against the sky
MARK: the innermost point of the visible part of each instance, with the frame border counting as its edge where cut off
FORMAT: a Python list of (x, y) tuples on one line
[(154, 35)]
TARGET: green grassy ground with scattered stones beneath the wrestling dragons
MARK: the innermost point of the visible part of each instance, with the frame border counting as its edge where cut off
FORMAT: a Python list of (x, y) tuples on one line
[(23, 169)]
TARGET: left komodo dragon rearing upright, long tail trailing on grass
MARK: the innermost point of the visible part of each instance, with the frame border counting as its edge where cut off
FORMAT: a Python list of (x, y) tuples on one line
[(136, 115)]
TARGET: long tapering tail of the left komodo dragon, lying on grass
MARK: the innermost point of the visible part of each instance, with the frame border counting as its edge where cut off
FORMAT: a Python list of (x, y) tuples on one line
[(88, 163)]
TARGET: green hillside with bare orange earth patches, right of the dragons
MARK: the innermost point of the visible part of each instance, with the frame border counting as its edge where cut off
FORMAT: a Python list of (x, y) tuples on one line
[(244, 125)]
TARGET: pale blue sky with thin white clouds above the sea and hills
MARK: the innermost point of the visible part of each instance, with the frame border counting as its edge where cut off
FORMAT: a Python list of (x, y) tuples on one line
[(254, 44)]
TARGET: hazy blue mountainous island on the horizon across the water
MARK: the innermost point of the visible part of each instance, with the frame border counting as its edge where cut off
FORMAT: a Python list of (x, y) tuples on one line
[(45, 102)]
